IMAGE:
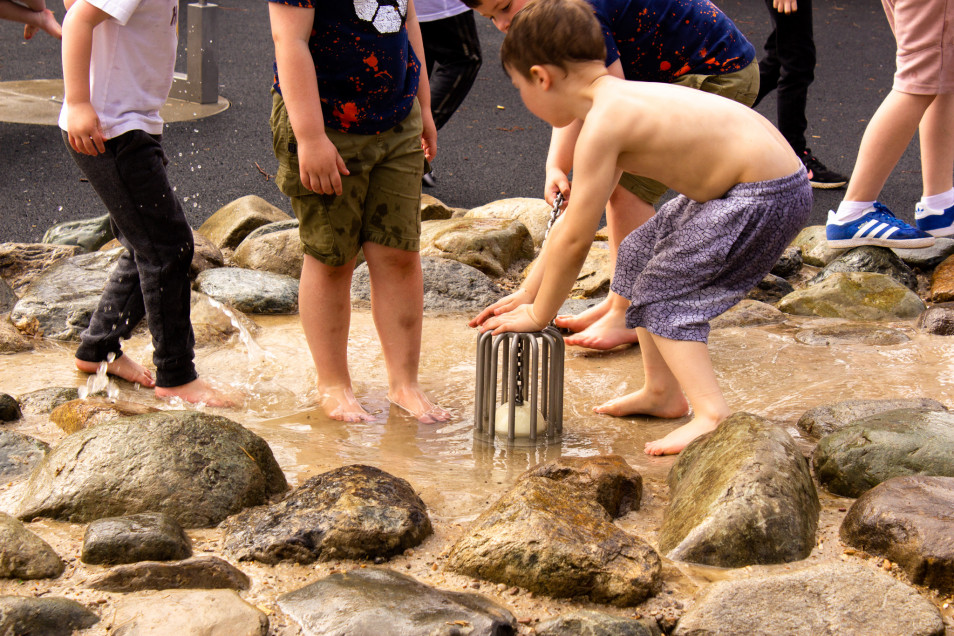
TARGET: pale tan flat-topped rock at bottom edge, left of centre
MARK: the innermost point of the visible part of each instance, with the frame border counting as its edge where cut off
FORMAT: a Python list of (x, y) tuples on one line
[(184, 612)]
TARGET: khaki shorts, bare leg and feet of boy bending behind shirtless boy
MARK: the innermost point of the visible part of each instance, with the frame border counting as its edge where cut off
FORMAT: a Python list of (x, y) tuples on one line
[(603, 326)]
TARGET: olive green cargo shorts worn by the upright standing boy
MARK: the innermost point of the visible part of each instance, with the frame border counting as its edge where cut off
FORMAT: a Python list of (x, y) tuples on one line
[(380, 200)]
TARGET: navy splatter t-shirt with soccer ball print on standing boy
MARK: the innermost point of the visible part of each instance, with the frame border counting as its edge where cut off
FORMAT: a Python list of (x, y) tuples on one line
[(367, 72)]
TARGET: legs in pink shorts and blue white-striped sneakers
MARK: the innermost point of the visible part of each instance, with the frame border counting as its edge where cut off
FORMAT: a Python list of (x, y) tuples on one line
[(921, 100)]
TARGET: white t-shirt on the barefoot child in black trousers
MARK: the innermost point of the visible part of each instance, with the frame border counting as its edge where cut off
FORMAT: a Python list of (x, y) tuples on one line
[(132, 62)]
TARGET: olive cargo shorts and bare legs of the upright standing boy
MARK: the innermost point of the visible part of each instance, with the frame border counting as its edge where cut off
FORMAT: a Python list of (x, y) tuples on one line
[(379, 212)]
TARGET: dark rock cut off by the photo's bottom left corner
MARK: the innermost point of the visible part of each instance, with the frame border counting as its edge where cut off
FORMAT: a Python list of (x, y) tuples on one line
[(48, 616)]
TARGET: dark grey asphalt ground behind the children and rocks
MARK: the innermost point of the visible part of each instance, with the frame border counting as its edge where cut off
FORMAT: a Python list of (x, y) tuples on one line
[(491, 149)]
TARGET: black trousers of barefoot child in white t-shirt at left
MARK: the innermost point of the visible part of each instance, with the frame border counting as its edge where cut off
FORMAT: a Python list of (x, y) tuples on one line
[(151, 279)]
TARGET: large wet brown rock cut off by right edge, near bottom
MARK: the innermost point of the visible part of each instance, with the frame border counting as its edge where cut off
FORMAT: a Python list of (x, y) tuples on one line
[(908, 521)]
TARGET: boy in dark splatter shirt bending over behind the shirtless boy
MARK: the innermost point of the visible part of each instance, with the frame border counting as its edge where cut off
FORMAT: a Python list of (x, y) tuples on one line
[(687, 42)]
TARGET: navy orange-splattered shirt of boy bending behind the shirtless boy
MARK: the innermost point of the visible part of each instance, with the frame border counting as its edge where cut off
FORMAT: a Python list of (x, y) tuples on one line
[(661, 40)]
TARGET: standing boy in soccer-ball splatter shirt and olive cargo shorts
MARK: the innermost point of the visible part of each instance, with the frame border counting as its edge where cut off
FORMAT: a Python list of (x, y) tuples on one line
[(352, 127)]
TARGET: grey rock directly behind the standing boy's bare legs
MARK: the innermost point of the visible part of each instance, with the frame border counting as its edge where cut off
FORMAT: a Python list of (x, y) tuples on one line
[(449, 287)]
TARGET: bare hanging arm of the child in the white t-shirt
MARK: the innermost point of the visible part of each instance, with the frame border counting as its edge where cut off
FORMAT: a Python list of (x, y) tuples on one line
[(83, 127)]
